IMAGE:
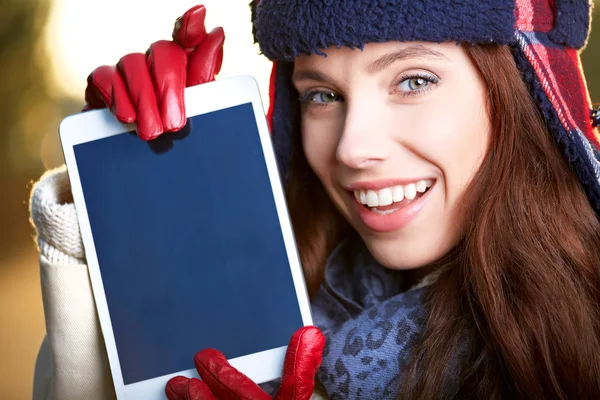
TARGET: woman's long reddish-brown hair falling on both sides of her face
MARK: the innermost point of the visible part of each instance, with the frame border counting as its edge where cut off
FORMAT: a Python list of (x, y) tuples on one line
[(516, 311)]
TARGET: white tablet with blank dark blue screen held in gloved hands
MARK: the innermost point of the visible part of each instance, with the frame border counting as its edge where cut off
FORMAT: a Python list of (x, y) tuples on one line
[(188, 239)]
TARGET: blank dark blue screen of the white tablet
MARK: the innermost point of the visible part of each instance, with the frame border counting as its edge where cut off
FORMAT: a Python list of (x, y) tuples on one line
[(189, 244)]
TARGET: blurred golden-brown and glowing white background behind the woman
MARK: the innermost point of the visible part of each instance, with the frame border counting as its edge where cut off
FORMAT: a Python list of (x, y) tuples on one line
[(47, 49)]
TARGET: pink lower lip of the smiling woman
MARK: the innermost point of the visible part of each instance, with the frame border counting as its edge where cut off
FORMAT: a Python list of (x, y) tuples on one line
[(394, 221)]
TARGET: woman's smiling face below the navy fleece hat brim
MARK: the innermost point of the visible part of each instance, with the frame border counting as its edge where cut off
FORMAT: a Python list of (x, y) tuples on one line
[(395, 133)]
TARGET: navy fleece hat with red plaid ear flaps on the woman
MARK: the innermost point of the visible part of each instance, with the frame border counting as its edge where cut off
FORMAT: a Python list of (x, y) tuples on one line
[(545, 35)]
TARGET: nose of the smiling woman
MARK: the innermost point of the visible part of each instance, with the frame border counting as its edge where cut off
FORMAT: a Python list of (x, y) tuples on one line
[(362, 143)]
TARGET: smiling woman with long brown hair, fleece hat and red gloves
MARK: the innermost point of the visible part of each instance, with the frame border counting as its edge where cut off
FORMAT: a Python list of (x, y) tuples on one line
[(444, 197)]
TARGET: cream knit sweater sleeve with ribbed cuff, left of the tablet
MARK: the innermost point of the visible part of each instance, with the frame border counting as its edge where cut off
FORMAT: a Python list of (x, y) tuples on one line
[(72, 363)]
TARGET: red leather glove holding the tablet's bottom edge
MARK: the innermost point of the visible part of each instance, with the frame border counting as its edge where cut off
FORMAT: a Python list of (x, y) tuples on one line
[(221, 381)]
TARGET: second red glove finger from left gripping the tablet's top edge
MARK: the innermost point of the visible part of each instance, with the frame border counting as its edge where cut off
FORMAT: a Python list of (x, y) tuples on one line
[(135, 73)]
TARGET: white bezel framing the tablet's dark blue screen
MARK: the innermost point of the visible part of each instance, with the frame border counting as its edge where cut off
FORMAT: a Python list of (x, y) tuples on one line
[(98, 124)]
